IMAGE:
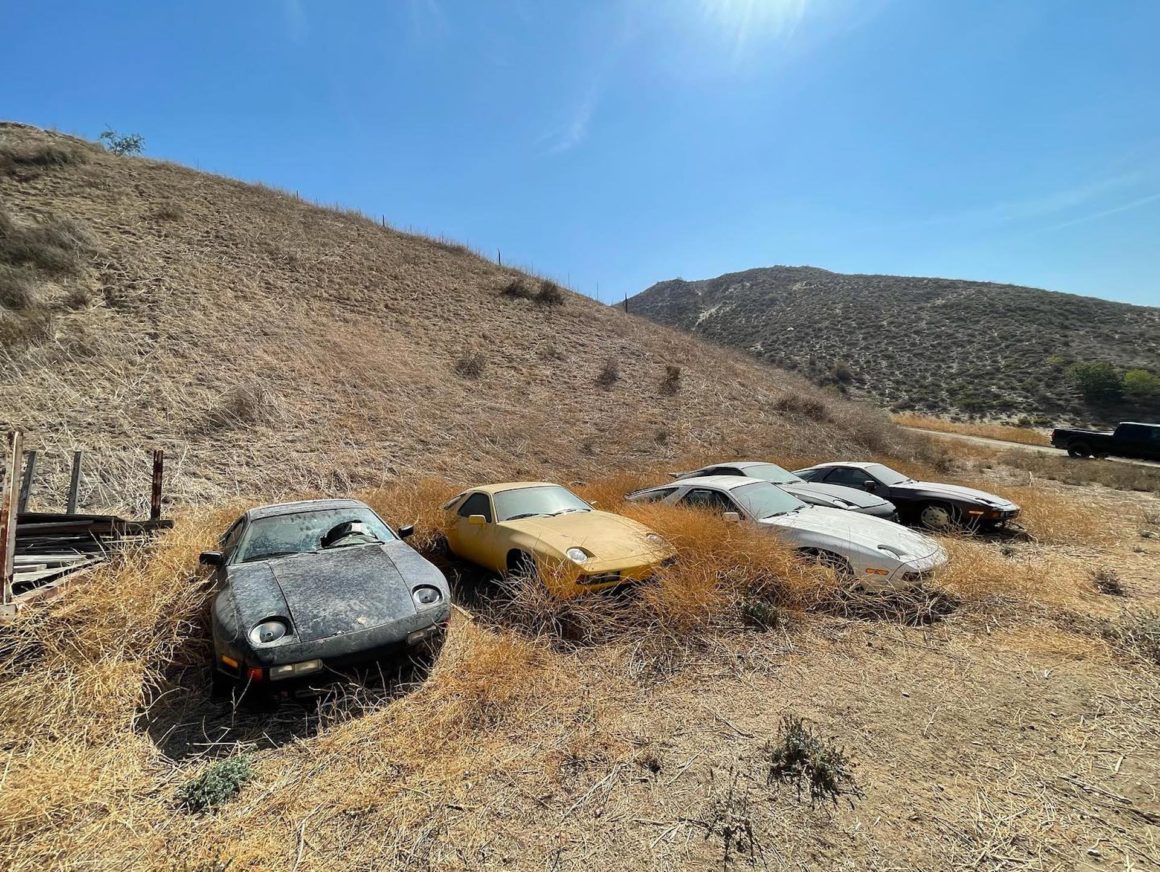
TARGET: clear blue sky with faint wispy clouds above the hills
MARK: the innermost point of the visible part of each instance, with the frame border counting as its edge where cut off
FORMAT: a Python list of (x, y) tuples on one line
[(618, 143)]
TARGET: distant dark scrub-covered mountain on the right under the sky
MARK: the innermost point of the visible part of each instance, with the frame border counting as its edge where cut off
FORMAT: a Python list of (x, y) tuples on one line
[(932, 345)]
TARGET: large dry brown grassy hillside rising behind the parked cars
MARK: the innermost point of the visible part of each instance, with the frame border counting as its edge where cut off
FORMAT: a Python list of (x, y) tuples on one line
[(273, 346)]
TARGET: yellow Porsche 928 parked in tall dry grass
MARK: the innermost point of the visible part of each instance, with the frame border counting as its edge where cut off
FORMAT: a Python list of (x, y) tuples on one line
[(543, 529)]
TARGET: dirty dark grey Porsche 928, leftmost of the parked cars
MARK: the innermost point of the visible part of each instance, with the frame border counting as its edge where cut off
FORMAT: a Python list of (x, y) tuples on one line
[(308, 587)]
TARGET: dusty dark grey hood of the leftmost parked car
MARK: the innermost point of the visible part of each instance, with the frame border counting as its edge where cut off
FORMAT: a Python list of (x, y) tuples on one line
[(331, 593)]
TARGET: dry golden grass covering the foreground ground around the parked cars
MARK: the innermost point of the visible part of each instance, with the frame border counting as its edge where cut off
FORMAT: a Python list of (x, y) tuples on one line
[(611, 744)]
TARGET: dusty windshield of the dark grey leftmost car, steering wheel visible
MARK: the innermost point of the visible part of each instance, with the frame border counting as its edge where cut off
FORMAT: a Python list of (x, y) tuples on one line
[(303, 533)]
